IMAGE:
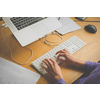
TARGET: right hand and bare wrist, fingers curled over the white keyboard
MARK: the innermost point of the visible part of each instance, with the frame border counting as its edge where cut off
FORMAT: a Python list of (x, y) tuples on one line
[(69, 58)]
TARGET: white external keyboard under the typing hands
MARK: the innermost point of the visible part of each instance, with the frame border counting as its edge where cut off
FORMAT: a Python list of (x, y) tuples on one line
[(72, 45)]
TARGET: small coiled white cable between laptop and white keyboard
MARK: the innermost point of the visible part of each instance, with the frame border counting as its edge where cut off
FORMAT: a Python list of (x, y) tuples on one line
[(49, 42)]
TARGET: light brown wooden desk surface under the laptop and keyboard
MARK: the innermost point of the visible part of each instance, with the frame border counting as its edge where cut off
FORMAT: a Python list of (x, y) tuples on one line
[(90, 52)]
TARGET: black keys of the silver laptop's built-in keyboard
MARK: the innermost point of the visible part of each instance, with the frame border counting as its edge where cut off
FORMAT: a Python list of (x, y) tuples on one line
[(22, 22)]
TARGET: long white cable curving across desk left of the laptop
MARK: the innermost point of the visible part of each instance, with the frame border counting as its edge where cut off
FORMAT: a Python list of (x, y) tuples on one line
[(11, 51)]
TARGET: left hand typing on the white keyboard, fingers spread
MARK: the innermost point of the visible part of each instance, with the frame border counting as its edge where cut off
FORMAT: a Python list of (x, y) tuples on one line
[(53, 69)]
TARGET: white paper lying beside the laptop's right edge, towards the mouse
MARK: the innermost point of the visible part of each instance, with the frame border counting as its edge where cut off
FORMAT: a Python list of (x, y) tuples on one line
[(68, 25)]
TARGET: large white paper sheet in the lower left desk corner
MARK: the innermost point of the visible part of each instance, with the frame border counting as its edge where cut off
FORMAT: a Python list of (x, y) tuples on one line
[(11, 73)]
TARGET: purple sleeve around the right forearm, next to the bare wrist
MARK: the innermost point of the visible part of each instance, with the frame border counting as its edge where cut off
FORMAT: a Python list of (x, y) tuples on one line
[(90, 66)]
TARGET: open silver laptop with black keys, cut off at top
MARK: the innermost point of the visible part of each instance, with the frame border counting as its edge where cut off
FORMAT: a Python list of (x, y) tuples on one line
[(31, 32)]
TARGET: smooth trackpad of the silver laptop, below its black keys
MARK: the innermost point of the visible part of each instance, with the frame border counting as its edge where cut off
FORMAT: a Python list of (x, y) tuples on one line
[(40, 29)]
